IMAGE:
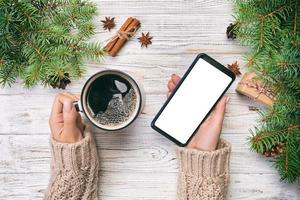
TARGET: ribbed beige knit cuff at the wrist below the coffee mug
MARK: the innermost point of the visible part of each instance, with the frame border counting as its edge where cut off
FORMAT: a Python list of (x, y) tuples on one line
[(75, 157)]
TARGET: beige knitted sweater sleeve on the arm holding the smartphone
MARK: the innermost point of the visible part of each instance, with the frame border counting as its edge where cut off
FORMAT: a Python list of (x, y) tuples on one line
[(203, 175)]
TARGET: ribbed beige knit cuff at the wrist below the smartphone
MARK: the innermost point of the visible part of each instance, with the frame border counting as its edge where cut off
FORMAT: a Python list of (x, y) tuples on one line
[(205, 163)]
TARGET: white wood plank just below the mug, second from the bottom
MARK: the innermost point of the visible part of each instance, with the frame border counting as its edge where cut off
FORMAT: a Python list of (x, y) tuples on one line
[(132, 152)]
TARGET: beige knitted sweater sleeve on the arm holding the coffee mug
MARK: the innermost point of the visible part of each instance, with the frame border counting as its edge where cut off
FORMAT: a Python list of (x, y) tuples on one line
[(74, 170)]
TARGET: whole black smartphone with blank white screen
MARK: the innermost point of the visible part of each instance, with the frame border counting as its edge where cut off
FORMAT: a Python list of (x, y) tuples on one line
[(194, 97)]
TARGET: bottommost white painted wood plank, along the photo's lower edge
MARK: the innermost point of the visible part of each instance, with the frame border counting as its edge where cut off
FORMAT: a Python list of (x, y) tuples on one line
[(149, 186)]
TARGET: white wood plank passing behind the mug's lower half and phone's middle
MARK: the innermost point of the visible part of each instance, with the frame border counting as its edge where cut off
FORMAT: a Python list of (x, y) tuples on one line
[(28, 114)]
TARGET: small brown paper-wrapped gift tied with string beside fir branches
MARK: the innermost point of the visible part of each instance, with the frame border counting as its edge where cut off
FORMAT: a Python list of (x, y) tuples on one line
[(253, 88)]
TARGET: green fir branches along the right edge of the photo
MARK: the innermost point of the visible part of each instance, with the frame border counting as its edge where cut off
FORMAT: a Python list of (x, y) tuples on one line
[(272, 30)]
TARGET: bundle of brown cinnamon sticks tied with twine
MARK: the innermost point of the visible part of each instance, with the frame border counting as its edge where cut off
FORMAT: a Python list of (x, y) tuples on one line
[(126, 31)]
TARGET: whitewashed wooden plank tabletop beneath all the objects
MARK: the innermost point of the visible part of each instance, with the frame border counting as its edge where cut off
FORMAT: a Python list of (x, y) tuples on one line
[(138, 163)]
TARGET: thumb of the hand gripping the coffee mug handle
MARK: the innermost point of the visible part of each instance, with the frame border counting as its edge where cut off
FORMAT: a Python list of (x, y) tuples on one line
[(69, 115)]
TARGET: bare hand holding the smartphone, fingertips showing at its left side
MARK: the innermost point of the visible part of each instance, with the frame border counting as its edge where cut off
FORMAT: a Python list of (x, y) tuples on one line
[(208, 134)]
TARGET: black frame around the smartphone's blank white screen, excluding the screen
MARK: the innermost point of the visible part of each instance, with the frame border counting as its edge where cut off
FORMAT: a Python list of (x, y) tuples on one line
[(215, 64)]
